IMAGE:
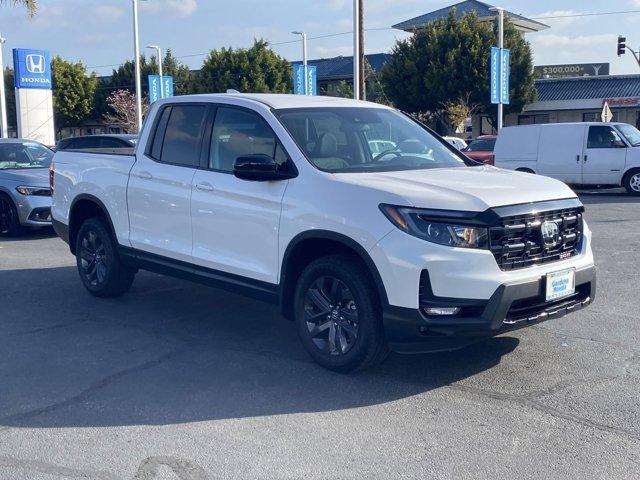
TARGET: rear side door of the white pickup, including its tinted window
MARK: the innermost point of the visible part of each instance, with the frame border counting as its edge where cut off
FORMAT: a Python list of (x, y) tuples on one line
[(159, 192)]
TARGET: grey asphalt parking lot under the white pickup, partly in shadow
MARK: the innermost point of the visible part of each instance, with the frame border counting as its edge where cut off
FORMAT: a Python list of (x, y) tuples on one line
[(175, 380)]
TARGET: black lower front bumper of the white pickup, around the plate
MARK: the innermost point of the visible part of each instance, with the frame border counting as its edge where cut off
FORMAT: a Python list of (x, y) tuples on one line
[(512, 306)]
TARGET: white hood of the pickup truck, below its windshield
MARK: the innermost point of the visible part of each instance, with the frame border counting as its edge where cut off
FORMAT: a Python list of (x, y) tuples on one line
[(466, 189)]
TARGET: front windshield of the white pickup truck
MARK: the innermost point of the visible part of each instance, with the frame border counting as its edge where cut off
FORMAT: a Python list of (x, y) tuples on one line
[(361, 139)]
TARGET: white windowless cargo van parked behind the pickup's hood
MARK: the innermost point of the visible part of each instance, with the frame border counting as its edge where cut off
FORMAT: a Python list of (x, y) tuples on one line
[(588, 153)]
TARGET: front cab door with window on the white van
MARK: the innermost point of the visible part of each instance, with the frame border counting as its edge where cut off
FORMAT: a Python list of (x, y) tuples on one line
[(604, 157)]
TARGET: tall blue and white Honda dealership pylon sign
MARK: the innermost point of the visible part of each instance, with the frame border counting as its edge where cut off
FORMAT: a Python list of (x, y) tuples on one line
[(34, 97)]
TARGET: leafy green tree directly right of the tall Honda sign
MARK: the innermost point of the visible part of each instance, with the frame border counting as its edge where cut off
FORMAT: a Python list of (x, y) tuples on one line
[(73, 92)]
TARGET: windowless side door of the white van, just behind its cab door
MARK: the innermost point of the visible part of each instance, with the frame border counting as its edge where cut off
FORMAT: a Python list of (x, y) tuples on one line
[(560, 152)]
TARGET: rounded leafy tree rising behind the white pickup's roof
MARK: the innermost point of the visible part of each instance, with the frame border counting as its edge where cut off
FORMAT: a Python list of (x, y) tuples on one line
[(257, 70)]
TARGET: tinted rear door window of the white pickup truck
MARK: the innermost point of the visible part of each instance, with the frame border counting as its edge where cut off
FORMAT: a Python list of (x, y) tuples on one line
[(183, 135)]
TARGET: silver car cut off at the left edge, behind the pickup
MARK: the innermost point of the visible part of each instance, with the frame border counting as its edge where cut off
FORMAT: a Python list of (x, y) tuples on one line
[(25, 196)]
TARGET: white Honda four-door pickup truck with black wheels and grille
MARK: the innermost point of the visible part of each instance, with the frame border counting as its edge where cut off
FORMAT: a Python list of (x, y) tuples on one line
[(370, 231)]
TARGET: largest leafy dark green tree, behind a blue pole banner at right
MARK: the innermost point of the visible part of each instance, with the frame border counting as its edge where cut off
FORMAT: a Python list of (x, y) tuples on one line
[(448, 61)]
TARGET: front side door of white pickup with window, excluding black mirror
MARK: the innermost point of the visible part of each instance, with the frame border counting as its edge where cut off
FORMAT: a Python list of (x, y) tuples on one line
[(236, 222)]
